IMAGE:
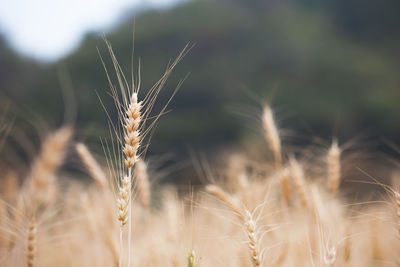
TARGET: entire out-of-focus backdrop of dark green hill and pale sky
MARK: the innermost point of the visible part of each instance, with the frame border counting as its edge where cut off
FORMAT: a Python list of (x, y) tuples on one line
[(328, 68)]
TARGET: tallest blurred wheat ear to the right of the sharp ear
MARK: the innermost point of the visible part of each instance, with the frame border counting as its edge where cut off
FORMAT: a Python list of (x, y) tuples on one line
[(272, 135)]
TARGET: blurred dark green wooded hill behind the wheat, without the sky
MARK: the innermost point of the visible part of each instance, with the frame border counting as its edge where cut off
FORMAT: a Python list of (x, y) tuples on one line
[(324, 74)]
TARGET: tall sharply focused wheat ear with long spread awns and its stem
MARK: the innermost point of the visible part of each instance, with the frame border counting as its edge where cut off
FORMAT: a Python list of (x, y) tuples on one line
[(134, 120)]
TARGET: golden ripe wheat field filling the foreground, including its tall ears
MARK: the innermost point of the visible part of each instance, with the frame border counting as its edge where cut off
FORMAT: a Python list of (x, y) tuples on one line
[(286, 211)]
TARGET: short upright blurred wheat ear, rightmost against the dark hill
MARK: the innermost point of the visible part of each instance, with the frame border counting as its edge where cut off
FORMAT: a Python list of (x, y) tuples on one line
[(333, 164)]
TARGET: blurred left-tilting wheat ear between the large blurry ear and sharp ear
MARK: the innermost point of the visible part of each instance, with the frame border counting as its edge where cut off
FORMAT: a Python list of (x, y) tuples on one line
[(92, 165)]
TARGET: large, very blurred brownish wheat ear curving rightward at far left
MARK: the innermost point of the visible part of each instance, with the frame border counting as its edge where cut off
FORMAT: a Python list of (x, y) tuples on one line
[(41, 182)]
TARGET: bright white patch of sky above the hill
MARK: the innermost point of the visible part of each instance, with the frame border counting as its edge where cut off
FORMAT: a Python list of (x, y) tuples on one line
[(49, 29)]
